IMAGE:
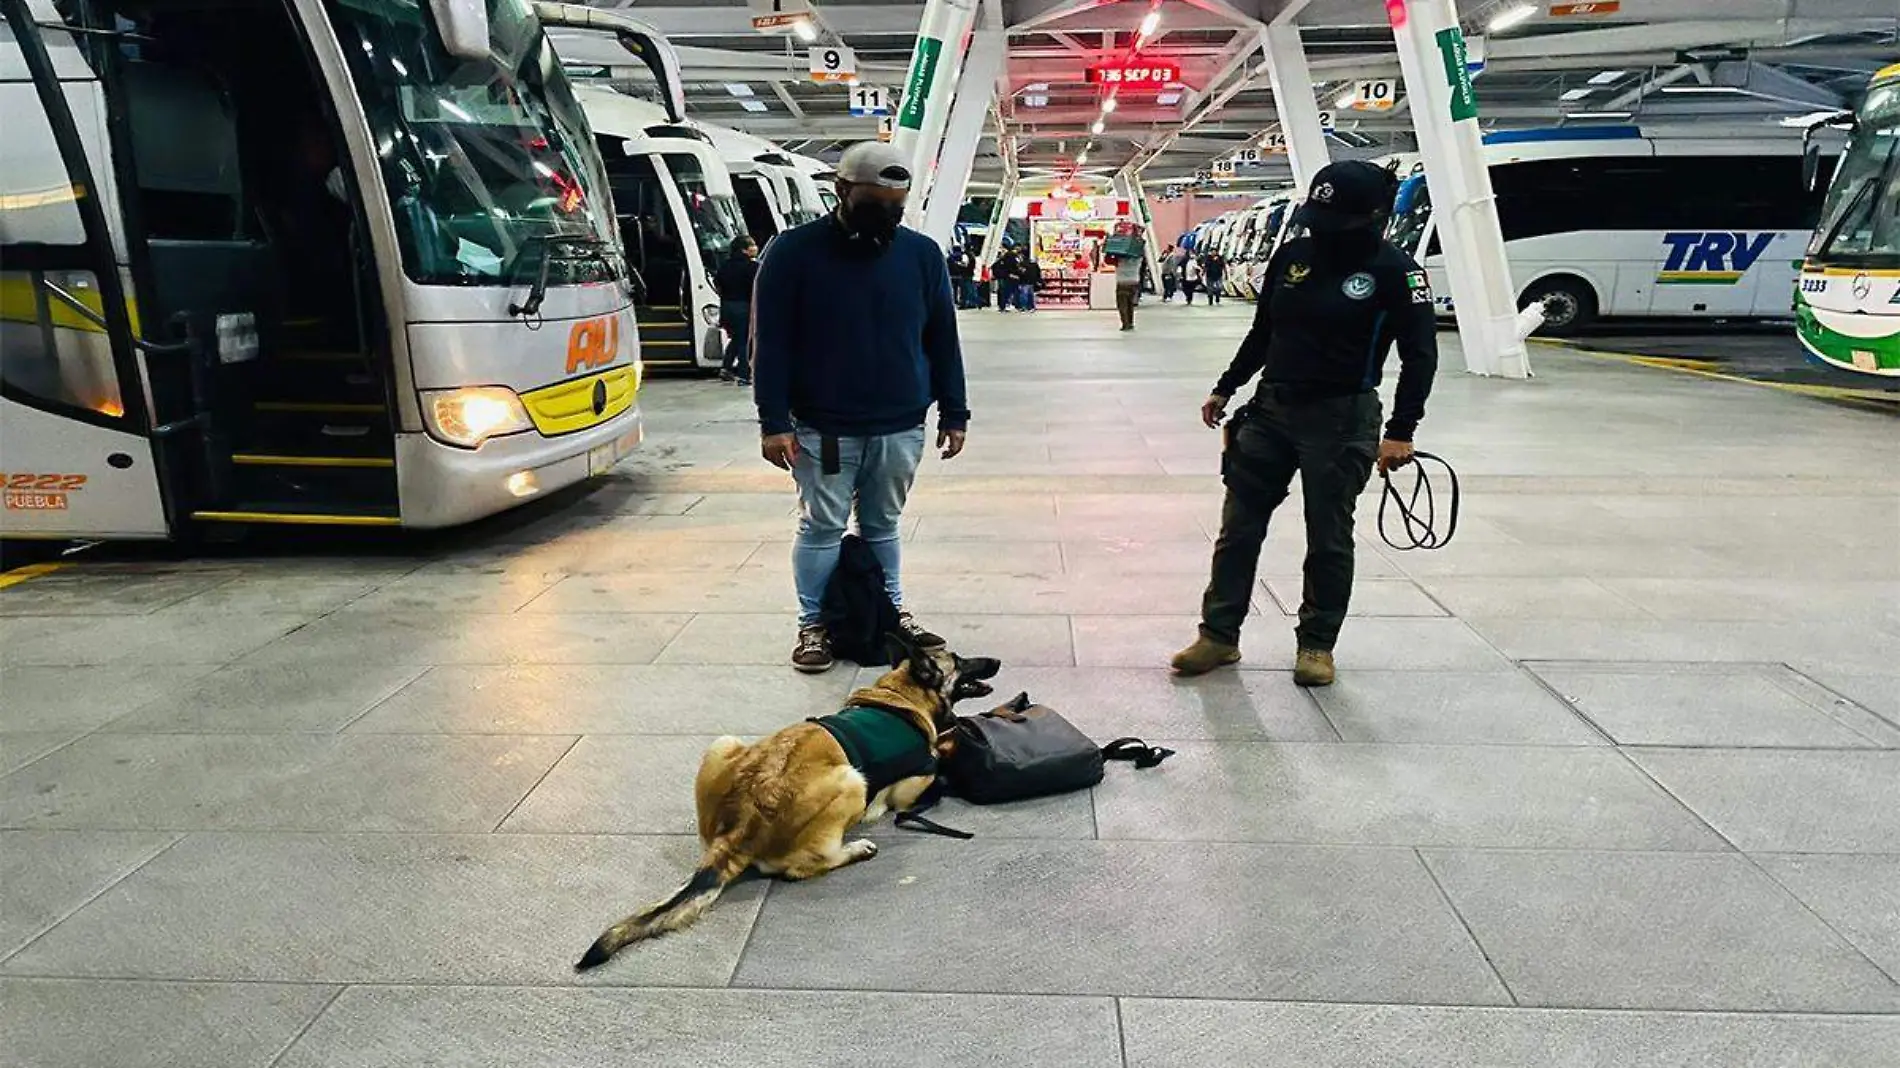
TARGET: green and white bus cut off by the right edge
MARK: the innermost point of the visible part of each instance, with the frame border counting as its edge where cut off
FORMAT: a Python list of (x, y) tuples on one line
[(1848, 311)]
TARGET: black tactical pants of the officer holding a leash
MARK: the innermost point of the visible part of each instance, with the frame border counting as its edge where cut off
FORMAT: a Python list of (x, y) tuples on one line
[(1331, 444)]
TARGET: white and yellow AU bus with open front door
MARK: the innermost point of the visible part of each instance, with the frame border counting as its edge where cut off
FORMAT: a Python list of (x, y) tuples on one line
[(301, 263)]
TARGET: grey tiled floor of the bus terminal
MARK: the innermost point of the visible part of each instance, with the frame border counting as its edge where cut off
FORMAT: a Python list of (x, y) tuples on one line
[(1614, 782)]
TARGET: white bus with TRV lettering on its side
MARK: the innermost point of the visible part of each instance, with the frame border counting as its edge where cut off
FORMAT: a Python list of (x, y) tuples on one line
[(1605, 221)]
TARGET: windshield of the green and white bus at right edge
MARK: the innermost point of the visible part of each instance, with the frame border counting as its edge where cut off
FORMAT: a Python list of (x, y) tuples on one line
[(1863, 214)]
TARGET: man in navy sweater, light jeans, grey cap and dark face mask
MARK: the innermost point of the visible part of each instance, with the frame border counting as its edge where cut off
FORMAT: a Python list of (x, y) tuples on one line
[(854, 339)]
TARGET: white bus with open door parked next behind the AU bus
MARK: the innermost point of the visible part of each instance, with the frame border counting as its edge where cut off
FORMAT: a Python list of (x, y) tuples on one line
[(677, 223)]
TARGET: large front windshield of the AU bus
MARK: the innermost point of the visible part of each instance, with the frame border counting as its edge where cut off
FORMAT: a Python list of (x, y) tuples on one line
[(484, 159)]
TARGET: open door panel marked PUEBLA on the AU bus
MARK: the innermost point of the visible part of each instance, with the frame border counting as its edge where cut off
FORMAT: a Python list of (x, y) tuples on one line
[(75, 419)]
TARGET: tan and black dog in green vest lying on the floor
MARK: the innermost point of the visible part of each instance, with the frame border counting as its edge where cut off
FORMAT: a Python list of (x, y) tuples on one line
[(784, 807)]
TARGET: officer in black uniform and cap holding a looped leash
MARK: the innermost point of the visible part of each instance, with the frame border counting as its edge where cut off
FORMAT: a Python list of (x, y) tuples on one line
[(1331, 307)]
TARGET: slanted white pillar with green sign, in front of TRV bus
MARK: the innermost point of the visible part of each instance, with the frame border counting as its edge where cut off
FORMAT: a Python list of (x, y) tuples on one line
[(1447, 121)]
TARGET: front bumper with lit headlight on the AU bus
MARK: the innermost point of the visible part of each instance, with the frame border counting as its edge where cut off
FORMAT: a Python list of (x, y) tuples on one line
[(442, 486)]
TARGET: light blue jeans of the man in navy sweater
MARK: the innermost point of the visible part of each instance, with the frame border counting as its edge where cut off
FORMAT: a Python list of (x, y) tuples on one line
[(875, 474)]
